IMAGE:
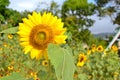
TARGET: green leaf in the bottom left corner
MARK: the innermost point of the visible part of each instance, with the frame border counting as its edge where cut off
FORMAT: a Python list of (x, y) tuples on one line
[(13, 76)]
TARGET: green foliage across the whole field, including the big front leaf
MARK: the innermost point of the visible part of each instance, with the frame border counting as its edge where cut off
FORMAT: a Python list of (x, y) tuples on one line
[(61, 66)]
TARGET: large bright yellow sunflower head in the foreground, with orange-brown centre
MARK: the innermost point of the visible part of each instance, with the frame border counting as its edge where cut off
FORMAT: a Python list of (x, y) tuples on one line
[(38, 31)]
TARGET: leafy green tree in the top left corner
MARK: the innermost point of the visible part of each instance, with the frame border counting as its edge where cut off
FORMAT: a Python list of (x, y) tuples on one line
[(9, 16)]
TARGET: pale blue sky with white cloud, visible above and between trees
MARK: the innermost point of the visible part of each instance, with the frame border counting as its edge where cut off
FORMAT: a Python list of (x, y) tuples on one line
[(100, 26)]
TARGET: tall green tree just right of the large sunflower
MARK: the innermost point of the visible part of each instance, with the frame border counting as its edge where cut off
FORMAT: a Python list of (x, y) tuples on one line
[(75, 15)]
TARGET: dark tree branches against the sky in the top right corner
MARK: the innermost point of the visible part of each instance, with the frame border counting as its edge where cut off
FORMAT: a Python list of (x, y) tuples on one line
[(110, 8)]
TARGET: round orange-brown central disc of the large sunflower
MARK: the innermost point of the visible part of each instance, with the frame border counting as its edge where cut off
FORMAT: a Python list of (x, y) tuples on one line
[(40, 36)]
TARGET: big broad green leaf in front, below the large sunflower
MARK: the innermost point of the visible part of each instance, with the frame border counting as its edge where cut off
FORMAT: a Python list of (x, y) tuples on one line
[(63, 62)]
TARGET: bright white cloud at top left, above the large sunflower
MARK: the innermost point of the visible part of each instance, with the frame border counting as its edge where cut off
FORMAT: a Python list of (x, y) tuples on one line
[(21, 5)]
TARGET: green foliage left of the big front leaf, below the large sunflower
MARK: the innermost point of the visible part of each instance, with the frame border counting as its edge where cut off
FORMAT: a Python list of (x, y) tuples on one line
[(12, 55)]
